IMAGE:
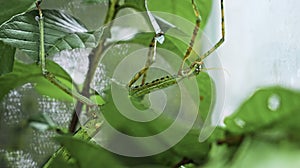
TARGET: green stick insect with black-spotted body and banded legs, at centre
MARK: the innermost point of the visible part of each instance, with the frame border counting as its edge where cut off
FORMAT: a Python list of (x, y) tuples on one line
[(194, 69)]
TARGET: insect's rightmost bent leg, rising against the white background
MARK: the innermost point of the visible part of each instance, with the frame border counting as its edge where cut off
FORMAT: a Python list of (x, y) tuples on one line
[(217, 45)]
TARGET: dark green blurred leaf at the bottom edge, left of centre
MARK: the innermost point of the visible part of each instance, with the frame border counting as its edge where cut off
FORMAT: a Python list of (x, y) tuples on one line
[(87, 154)]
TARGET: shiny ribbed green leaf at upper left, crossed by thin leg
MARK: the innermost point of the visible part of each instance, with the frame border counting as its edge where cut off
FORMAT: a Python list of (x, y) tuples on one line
[(62, 32)]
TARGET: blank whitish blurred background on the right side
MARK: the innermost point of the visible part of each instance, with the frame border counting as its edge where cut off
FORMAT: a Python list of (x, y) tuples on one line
[(261, 46)]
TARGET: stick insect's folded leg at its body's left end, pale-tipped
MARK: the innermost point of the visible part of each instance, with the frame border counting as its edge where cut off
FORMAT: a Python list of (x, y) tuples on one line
[(150, 61)]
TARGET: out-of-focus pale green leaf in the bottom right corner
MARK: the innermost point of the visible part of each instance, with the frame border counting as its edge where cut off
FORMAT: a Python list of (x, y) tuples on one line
[(255, 153)]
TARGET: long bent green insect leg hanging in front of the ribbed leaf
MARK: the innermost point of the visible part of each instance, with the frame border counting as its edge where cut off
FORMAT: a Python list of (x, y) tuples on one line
[(48, 75)]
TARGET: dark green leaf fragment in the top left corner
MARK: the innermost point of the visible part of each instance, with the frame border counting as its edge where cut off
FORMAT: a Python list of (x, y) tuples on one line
[(11, 8)]
